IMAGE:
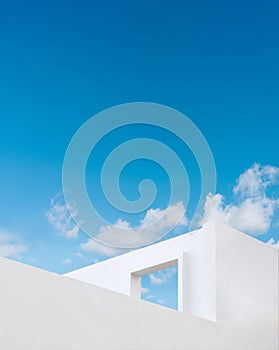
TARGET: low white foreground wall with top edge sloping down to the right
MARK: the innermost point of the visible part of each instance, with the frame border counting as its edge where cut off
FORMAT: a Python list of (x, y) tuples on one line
[(40, 310)]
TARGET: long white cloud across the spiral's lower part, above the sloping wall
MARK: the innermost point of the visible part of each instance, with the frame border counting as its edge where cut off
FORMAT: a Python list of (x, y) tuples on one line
[(155, 222)]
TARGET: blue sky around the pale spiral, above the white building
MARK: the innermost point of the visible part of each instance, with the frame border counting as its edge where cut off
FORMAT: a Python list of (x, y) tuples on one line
[(63, 62)]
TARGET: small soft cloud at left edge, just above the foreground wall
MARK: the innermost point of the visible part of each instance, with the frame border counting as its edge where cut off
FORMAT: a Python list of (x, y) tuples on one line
[(10, 246)]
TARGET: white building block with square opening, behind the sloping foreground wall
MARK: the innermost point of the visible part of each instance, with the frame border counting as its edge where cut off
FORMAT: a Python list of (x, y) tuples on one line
[(224, 276)]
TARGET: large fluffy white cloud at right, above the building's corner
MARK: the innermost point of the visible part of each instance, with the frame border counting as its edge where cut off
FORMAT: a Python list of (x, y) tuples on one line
[(252, 210)]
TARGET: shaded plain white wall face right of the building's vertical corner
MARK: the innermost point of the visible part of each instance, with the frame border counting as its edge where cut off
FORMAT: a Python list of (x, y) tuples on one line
[(247, 287)]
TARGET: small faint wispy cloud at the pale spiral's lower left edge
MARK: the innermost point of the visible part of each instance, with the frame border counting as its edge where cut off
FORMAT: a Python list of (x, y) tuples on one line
[(59, 217)]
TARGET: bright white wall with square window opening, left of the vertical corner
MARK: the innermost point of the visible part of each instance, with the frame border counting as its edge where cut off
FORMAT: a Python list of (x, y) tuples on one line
[(195, 254)]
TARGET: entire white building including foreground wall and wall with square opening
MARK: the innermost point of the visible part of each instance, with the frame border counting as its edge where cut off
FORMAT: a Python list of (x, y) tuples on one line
[(228, 299)]
